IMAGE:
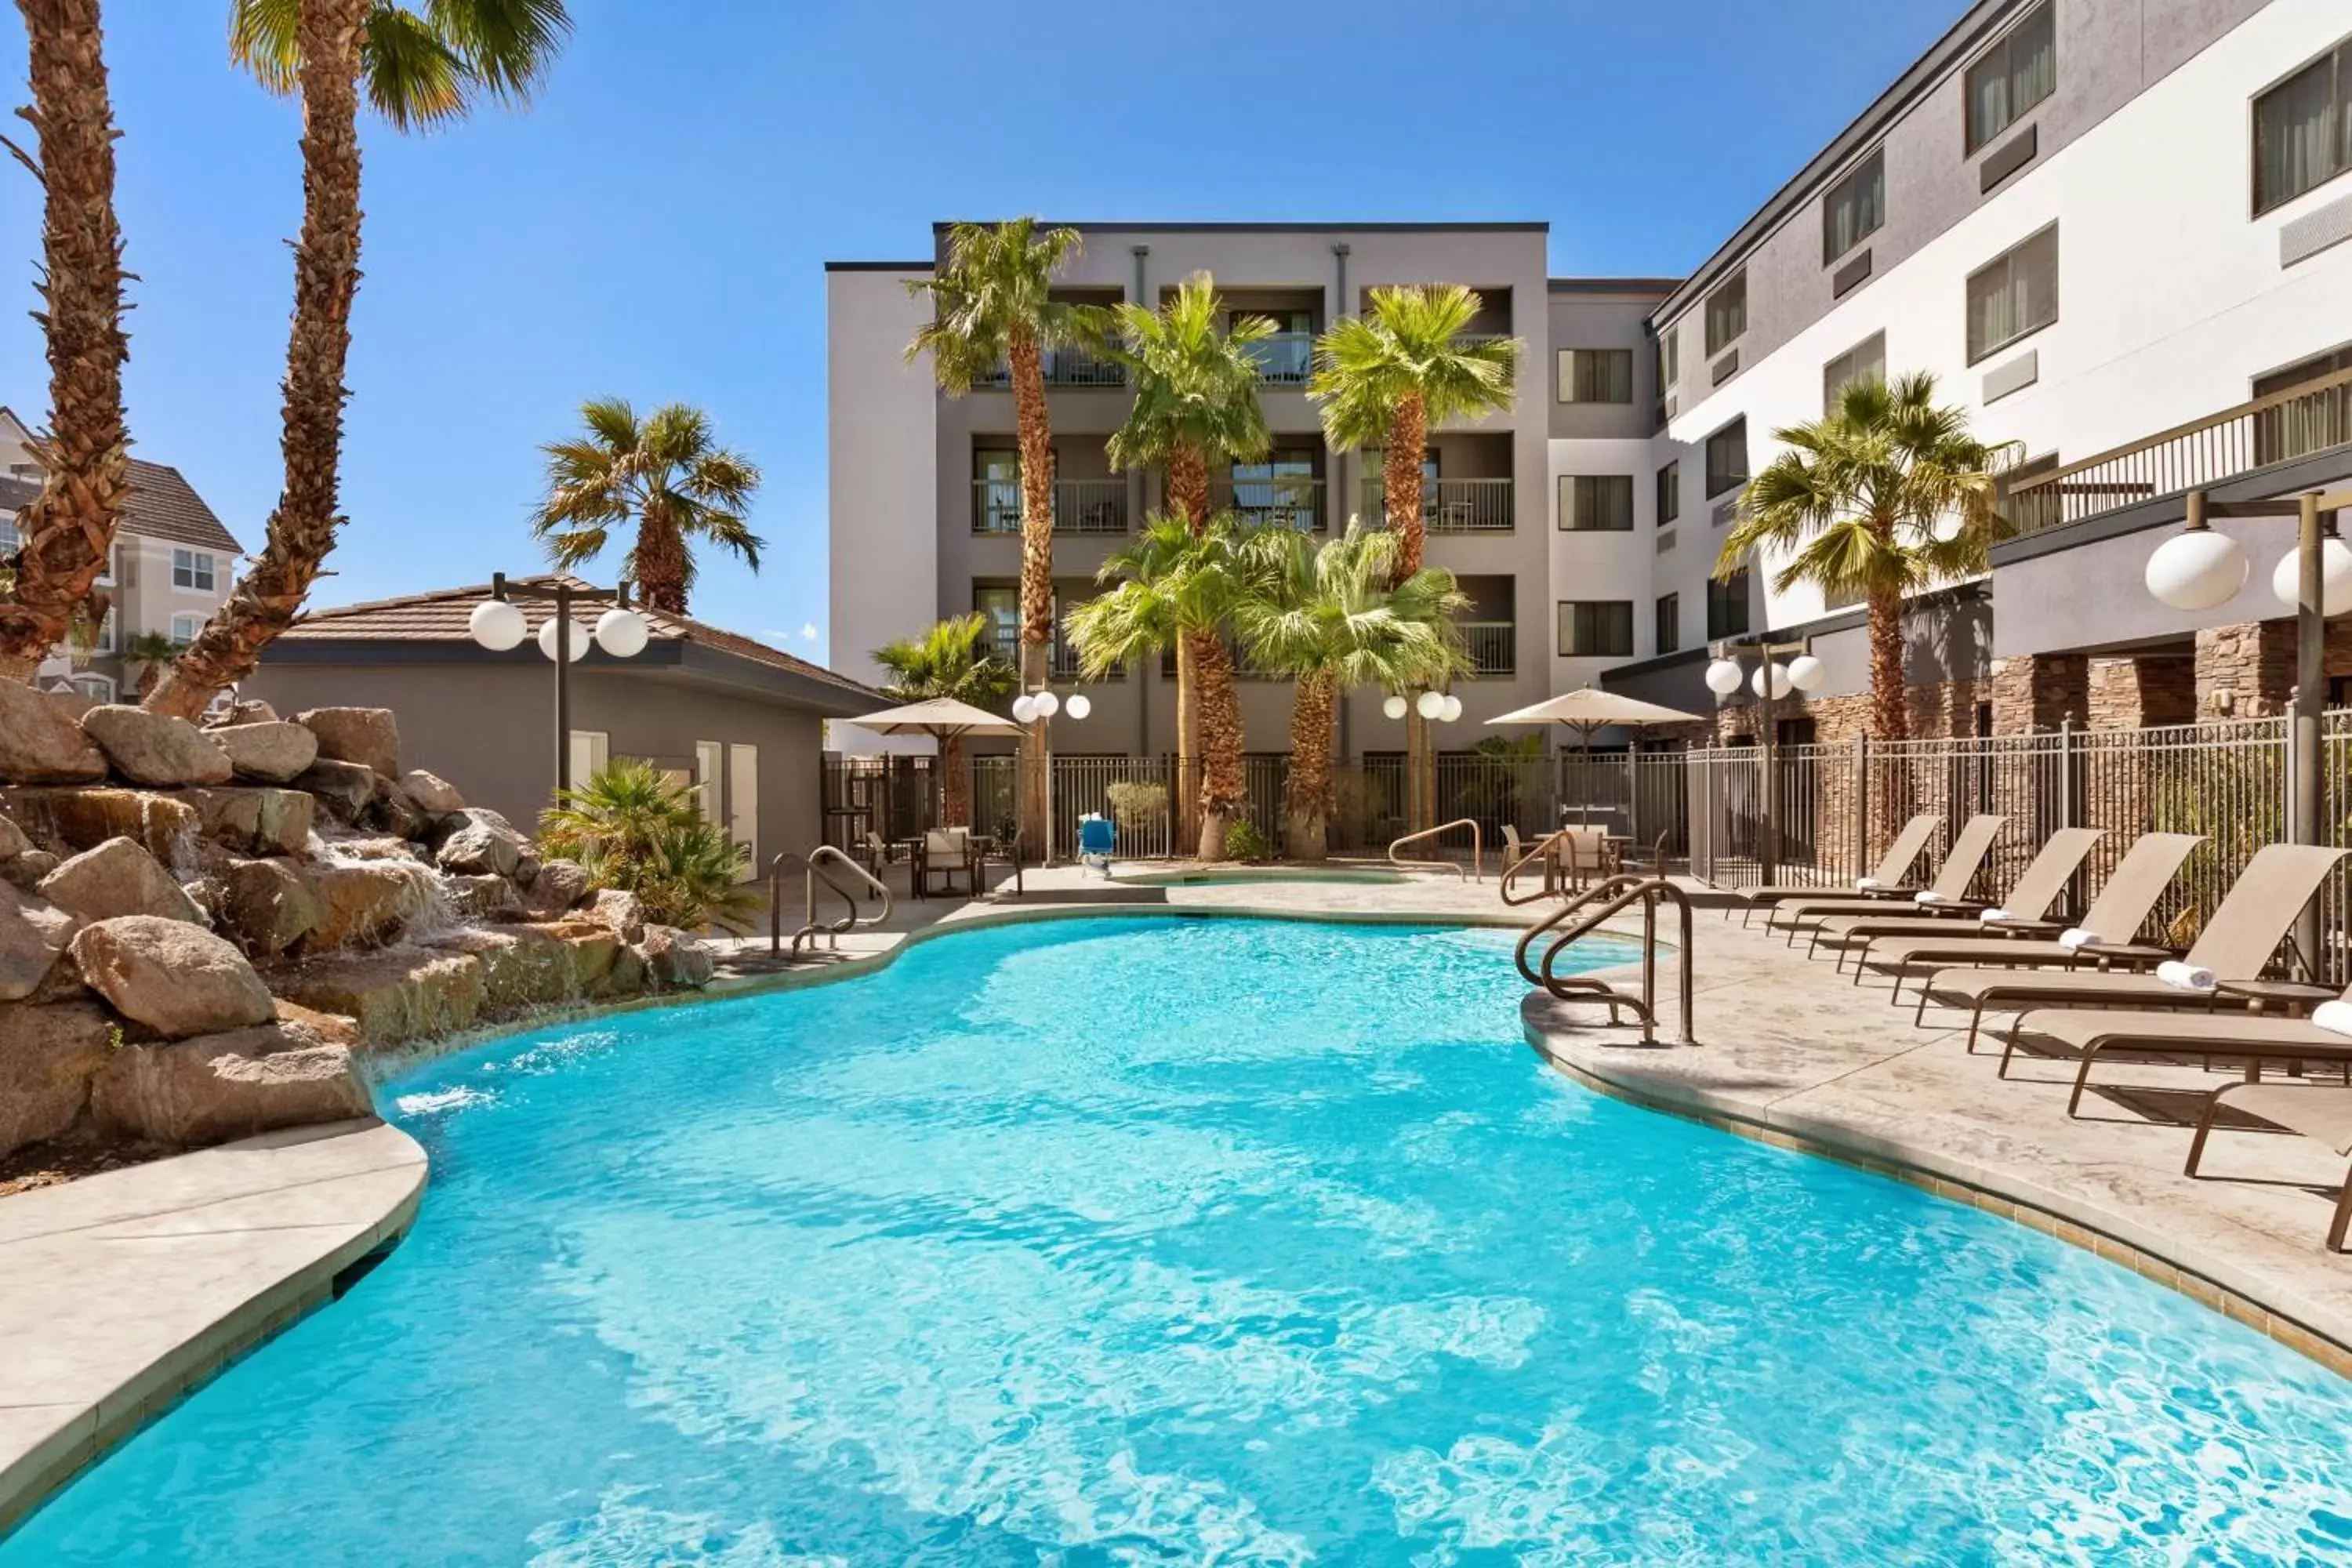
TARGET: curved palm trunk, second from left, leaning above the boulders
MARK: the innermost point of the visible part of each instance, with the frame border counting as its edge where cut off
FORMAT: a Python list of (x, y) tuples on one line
[(326, 276)]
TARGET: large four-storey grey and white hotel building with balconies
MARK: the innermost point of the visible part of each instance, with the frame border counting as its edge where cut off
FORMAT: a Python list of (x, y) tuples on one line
[(2116, 232)]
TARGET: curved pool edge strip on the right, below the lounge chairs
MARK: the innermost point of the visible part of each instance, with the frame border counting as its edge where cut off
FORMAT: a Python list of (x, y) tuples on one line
[(2007, 1193)]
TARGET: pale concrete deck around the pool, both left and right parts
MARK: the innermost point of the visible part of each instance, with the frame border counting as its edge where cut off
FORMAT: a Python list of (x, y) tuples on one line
[(123, 1292)]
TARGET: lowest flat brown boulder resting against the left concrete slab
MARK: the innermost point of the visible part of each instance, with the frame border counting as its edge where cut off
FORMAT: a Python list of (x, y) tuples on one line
[(234, 1085)]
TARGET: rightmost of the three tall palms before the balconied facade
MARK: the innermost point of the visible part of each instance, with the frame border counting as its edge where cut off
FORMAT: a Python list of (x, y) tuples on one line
[(1384, 380)]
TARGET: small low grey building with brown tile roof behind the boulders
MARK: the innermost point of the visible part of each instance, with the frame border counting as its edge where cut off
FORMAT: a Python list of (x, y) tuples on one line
[(730, 716)]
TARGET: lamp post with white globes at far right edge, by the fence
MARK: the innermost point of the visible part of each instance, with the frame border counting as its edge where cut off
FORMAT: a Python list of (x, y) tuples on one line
[(2205, 570)]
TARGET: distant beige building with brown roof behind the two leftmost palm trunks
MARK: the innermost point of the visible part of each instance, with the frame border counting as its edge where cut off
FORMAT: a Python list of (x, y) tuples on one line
[(171, 570)]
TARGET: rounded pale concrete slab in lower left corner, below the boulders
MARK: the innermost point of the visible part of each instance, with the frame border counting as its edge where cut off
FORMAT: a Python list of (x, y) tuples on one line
[(135, 1287)]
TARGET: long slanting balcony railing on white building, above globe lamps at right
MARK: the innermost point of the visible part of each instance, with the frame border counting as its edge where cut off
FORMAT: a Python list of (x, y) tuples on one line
[(2278, 429)]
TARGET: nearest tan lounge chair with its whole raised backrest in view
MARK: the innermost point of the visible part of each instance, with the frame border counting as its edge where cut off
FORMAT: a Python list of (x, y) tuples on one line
[(2236, 946)]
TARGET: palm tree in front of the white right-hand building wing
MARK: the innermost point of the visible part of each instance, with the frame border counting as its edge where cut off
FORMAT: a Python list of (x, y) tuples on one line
[(1883, 497)]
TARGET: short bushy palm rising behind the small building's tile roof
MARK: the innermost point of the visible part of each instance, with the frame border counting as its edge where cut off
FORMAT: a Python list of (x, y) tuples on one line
[(667, 476)]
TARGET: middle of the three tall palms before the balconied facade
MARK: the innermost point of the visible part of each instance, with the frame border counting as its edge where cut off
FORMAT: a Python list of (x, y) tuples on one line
[(1196, 401)]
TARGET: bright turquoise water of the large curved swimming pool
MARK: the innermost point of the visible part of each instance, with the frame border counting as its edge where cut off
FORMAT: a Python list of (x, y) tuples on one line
[(1194, 1242)]
